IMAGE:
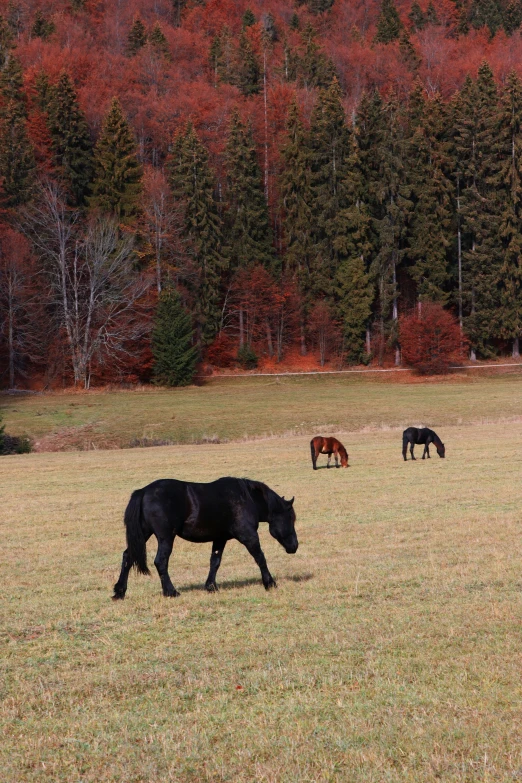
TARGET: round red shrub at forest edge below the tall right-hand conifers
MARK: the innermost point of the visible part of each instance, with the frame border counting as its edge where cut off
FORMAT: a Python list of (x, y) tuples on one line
[(431, 340)]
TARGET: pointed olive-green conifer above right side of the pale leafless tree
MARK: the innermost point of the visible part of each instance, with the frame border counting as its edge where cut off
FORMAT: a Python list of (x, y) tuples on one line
[(117, 180)]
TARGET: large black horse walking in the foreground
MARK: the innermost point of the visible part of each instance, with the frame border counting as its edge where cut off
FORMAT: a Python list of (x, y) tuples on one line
[(218, 511)]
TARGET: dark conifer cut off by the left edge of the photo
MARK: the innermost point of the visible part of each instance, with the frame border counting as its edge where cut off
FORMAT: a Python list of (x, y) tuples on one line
[(17, 163)]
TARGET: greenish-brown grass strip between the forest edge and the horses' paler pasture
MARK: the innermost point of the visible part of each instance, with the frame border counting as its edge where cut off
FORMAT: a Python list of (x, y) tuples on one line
[(234, 409)]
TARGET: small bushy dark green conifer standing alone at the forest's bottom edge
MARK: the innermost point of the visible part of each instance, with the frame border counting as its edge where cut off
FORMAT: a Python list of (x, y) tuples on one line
[(175, 355)]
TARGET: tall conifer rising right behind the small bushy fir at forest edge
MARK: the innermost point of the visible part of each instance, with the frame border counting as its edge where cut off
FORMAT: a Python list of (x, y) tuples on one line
[(193, 185)]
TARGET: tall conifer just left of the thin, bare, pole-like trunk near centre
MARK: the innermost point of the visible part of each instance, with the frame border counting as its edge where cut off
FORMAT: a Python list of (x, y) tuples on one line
[(248, 221)]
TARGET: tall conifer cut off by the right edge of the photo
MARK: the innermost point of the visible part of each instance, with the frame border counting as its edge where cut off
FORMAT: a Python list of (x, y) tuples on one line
[(509, 321)]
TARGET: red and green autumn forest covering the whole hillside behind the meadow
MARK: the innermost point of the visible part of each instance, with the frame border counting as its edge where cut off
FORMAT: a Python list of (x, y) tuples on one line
[(212, 181)]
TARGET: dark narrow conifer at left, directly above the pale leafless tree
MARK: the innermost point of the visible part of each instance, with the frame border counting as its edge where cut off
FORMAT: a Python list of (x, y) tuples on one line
[(71, 141)]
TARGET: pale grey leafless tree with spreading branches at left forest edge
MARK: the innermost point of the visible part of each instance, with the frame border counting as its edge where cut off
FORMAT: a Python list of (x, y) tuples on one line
[(92, 280)]
